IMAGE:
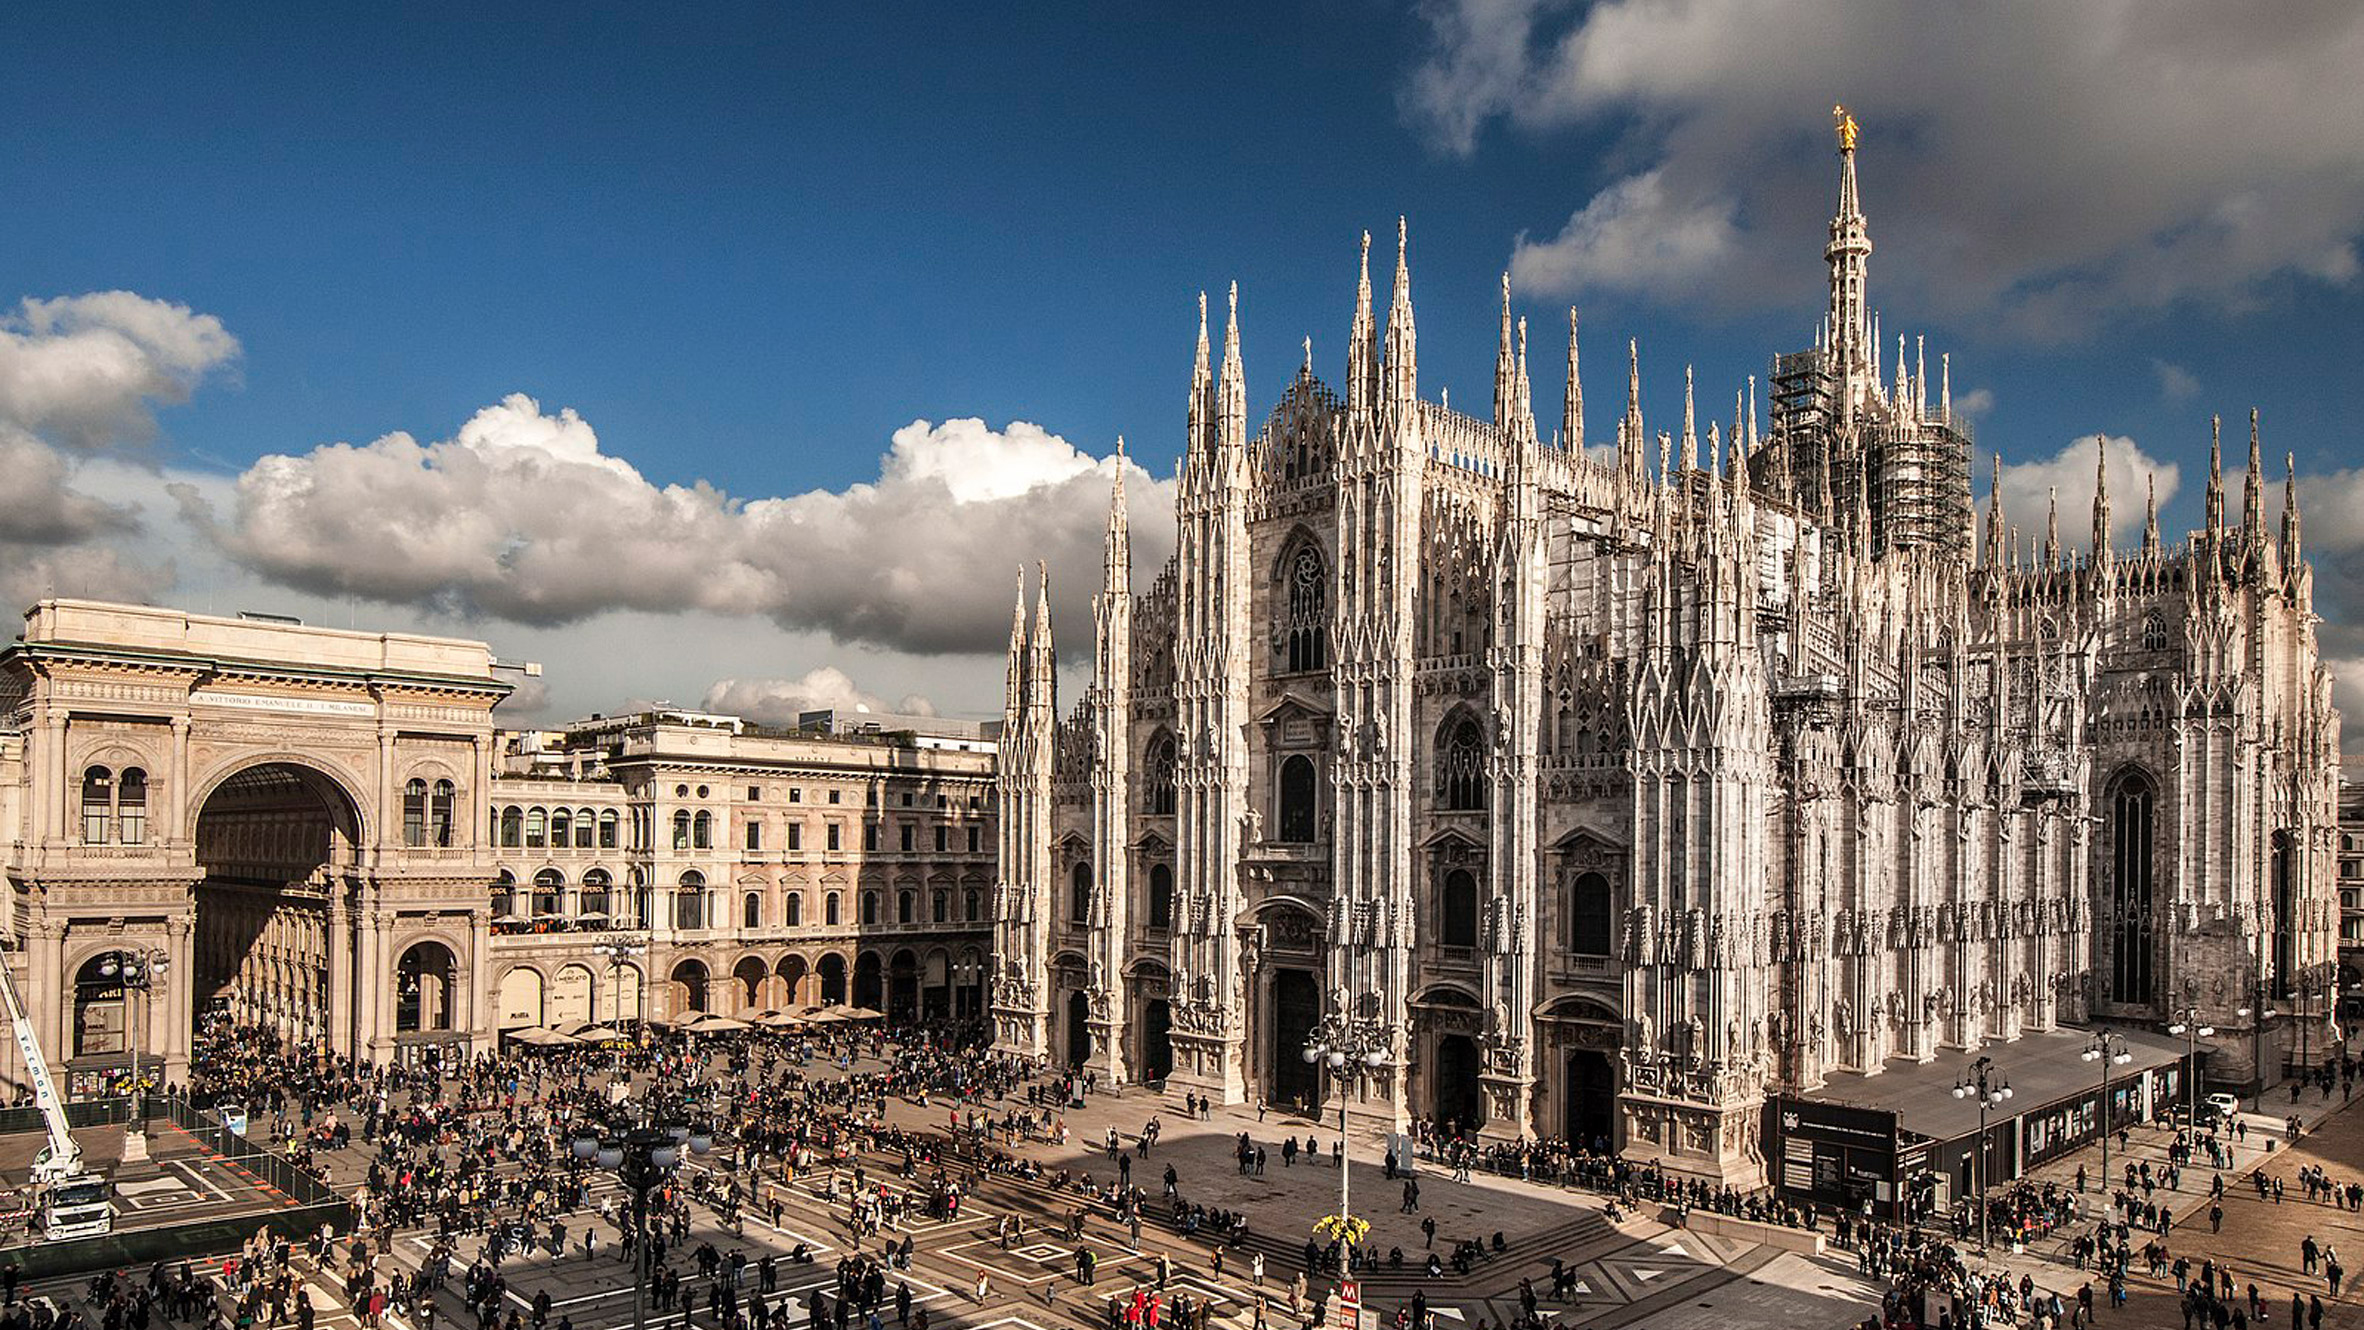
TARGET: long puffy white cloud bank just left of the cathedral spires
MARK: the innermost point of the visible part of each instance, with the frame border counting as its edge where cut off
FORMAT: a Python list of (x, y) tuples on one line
[(524, 519)]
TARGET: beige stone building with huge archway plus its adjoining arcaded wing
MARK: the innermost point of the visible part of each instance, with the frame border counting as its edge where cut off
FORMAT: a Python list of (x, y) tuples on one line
[(325, 833)]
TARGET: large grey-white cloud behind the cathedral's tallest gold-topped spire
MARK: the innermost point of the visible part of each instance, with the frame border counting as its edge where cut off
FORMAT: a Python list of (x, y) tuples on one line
[(2044, 162)]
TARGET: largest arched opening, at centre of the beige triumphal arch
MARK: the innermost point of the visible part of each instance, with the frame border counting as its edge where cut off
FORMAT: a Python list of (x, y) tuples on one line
[(275, 842)]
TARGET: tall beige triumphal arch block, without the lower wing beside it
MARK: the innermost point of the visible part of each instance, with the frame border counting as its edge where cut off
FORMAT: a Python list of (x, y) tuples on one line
[(278, 811)]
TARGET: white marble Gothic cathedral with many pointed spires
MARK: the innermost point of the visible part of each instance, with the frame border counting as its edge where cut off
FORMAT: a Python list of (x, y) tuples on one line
[(1613, 793)]
